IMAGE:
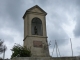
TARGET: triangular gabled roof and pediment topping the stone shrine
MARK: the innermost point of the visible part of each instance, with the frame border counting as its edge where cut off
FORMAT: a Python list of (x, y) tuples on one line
[(34, 10)]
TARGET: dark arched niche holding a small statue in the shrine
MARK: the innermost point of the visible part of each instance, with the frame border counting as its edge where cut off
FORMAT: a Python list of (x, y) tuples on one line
[(36, 26)]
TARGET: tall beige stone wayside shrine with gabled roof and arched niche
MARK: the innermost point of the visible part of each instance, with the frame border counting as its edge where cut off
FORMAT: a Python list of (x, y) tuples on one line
[(35, 37)]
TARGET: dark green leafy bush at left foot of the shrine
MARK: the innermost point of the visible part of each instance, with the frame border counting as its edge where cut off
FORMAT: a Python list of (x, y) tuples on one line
[(19, 51)]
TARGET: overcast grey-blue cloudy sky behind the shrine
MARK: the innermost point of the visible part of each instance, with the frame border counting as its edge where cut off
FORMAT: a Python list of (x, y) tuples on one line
[(63, 23)]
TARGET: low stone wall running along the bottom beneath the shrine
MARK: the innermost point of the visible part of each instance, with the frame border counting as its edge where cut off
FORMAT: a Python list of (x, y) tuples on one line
[(46, 58)]
